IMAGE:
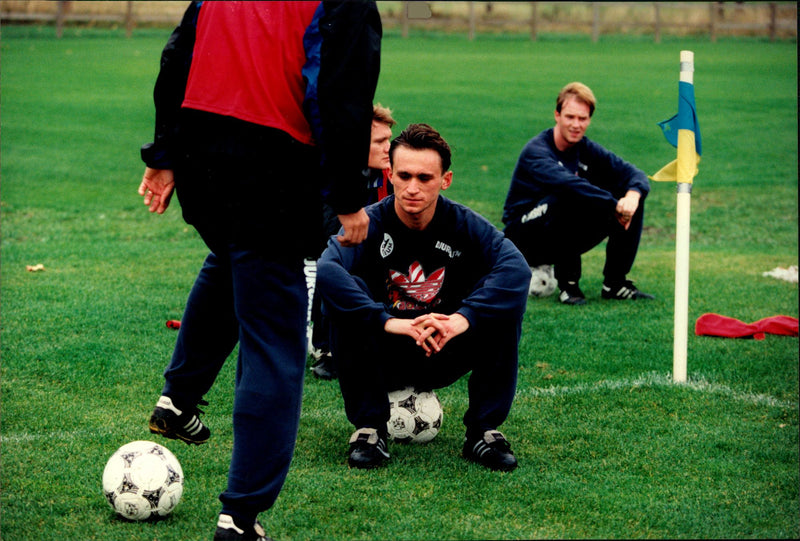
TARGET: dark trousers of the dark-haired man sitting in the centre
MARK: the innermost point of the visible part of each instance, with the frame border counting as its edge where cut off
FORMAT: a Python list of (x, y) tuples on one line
[(371, 364)]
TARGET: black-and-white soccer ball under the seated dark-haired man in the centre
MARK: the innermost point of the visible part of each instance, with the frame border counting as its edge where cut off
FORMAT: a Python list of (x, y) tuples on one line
[(414, 416)]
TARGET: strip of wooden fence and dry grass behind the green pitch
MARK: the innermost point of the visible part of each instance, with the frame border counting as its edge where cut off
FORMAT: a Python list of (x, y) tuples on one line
[(775, 20)]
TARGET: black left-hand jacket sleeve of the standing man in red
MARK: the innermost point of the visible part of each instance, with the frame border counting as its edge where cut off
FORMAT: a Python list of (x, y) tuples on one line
[(170, 90)]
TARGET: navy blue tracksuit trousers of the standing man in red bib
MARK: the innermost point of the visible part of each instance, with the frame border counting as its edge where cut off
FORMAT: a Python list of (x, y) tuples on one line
[(240, 296)]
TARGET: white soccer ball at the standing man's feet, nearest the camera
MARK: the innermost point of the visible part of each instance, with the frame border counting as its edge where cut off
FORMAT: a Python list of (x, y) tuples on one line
[(143, 480)]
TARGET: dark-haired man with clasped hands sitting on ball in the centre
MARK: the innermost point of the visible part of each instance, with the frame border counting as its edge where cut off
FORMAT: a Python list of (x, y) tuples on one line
[(434, 292)]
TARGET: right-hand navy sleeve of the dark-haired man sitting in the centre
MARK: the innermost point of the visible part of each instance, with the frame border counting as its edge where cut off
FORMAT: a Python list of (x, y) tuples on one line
[(501, 293)]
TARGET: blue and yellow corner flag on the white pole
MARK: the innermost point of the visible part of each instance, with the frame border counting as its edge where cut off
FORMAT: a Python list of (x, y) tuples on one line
[(683, 132)]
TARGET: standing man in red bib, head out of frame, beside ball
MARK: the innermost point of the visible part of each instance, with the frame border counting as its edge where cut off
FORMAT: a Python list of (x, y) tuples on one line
[(251, 98)]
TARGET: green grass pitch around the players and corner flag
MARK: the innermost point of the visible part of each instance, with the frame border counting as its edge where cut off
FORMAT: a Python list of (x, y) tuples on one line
[(609, 447)]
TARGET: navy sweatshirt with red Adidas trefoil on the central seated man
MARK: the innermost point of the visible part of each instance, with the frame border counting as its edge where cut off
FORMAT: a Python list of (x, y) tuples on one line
[(459, 263)]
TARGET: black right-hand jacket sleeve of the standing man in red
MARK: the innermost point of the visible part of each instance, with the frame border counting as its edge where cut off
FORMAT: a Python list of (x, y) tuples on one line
[(348, 75)]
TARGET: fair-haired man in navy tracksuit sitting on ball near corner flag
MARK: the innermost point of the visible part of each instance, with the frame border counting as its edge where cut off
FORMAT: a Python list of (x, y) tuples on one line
[(567, 194)]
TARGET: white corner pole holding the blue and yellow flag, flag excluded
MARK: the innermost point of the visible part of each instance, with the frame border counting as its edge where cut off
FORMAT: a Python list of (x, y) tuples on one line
[(683, 213)]
